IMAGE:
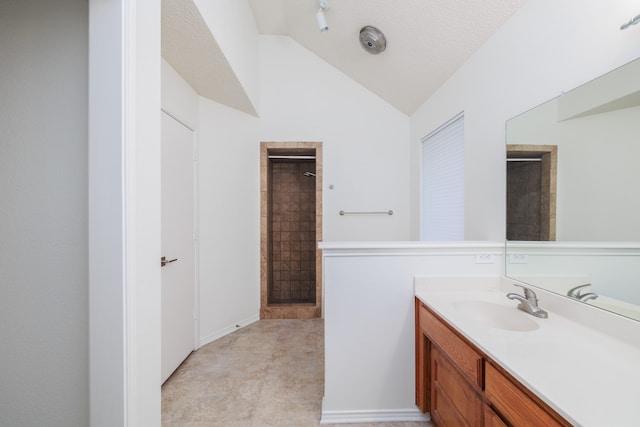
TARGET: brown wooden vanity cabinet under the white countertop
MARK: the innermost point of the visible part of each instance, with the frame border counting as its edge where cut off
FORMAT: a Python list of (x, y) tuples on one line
[(461, 386)]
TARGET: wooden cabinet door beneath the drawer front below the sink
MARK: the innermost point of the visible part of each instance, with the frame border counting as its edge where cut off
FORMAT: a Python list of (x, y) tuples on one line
[(454, 402)]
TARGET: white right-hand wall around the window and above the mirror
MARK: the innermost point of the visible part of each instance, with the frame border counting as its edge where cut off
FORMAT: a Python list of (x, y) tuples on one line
[(545, 48)]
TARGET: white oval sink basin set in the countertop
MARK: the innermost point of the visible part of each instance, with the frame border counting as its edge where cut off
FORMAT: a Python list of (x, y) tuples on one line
[(496, 316)]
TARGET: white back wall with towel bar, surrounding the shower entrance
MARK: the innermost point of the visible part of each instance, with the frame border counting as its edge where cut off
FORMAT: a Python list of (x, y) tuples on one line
[(365, 152)]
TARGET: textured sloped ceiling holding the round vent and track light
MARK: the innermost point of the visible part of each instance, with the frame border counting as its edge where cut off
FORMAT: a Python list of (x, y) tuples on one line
[(427, 40)]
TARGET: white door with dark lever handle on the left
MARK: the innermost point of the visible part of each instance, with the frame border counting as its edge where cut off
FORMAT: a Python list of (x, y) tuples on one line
[(178, 273)]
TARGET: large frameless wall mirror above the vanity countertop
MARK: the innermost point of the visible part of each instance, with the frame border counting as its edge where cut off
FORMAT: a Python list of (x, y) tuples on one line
[(573, 193)]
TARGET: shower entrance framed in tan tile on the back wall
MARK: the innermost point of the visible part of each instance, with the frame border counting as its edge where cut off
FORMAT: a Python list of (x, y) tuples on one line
[(290, 229)]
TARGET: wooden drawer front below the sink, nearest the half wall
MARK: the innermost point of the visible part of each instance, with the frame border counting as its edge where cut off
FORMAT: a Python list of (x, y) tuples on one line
[(462, 355)]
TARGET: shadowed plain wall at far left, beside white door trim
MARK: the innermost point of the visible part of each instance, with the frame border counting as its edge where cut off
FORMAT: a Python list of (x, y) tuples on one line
[(43, 213)]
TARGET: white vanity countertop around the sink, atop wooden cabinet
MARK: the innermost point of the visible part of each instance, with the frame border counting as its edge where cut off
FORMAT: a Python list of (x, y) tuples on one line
[(583, 373)]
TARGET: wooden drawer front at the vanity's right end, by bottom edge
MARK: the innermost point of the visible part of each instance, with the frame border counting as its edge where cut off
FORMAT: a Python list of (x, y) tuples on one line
[(513, 403)]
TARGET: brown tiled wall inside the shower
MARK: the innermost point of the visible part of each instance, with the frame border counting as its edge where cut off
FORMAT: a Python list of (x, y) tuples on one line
[(293, 234)]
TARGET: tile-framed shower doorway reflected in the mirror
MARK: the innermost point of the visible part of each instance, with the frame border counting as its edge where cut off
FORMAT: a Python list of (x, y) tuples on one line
[(531, 192)]
